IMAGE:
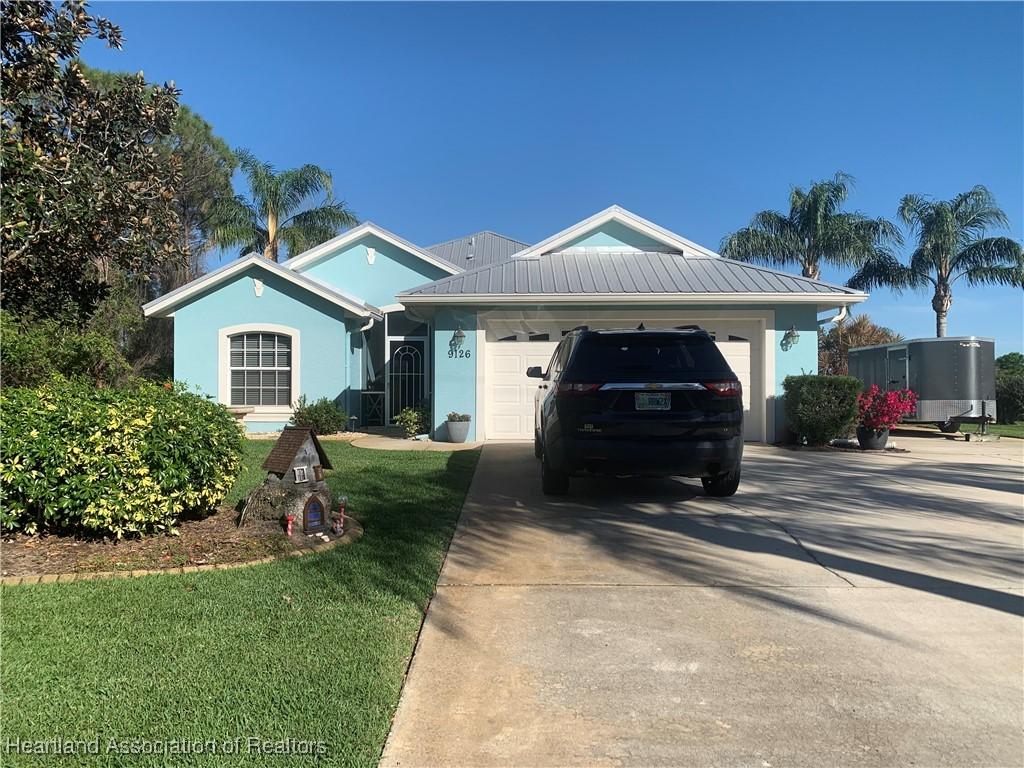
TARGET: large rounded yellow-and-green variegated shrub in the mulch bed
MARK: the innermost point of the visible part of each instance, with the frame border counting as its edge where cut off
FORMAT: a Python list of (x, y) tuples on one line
[(111, 462)]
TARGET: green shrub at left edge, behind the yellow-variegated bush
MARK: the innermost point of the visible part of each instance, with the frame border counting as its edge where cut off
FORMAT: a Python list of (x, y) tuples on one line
[(35, 352)]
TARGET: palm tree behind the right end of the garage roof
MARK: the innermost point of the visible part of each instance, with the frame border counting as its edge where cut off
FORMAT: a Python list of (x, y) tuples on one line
[(815, 232)]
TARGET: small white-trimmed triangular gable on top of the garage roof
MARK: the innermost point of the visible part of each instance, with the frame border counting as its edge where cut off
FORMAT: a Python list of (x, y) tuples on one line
[(613, 225)]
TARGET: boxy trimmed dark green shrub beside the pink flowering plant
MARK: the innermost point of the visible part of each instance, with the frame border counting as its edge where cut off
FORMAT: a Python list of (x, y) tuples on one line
[(820, 409)]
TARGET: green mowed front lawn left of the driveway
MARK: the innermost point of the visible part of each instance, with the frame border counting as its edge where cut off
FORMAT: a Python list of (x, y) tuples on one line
[(312, 649)]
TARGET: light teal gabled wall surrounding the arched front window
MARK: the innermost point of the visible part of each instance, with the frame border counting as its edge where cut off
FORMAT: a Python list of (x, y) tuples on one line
[(325, 357)]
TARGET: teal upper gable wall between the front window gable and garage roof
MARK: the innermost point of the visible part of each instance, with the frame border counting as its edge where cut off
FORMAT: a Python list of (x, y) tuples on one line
[(394, 271)]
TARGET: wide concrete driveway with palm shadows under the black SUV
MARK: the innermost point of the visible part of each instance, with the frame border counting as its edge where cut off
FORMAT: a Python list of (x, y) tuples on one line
[(841, 610)]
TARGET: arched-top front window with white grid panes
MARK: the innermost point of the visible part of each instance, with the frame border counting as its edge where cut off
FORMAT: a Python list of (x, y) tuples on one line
[(262, 370)]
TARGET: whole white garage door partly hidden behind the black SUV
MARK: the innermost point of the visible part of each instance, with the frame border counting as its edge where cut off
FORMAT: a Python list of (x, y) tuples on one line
[(509, 394)]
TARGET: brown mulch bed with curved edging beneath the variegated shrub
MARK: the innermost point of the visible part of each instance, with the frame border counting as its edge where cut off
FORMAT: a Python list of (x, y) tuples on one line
[(211, 541)]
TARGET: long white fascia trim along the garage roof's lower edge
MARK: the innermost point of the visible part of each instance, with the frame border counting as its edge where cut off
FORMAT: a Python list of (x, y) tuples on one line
[(647, 298)]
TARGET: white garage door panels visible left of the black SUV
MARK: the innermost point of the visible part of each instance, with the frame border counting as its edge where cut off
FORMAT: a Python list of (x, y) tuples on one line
[(509, 392)]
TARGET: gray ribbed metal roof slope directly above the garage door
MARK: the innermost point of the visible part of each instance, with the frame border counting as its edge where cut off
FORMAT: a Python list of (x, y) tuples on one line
[(571, 274)]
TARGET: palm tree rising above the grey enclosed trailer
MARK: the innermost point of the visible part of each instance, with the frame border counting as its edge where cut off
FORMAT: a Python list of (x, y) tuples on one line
[(952, 246)]
